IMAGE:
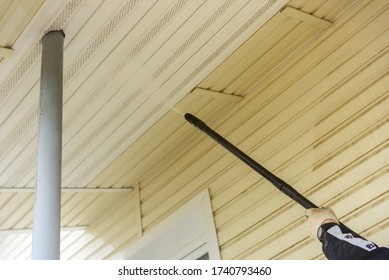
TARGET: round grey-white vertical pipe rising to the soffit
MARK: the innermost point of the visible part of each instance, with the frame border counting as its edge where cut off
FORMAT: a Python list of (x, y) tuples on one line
[(47, 209)]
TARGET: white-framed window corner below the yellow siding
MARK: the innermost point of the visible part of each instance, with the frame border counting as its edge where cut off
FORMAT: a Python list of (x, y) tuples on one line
[(188, 233)]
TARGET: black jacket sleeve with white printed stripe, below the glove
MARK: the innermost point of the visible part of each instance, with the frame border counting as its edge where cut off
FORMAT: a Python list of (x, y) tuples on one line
[(340, 245)]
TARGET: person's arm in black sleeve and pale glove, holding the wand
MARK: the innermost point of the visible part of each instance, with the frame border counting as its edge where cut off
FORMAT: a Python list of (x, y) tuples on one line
[(337, 243)]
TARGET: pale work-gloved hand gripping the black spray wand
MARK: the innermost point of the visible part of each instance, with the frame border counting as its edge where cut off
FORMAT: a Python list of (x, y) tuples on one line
[(317, 217)]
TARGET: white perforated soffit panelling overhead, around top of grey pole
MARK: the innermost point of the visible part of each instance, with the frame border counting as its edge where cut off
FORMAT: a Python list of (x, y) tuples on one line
[(126, 63)]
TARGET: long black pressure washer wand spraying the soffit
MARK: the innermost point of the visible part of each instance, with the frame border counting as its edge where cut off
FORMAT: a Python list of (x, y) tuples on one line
[(277, 182)]
